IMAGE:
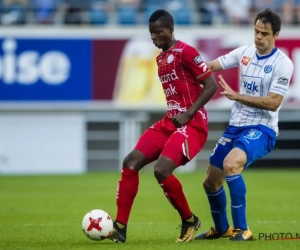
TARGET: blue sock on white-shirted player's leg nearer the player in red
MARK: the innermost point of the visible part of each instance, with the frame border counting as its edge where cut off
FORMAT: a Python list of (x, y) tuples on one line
[(217, 201)]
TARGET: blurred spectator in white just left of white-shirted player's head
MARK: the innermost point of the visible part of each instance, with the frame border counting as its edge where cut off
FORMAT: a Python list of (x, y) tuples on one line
[(238, 11)]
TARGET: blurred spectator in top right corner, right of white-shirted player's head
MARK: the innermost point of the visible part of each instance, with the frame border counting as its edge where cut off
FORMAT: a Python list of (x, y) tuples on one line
[(291, 11)]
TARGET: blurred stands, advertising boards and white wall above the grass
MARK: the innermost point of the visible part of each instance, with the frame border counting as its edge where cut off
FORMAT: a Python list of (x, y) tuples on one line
[(78, 79)]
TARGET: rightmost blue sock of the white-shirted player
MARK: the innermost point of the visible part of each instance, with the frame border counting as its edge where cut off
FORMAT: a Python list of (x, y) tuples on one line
[(237, 190)]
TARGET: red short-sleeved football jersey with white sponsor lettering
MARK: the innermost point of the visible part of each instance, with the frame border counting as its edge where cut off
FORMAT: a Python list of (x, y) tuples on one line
[(180, 71)]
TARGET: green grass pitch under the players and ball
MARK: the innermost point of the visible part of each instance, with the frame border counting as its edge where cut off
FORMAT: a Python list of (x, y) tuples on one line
[(45, 212)]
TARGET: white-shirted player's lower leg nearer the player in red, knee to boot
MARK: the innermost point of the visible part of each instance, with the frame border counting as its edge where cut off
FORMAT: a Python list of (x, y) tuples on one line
[(213, 186)]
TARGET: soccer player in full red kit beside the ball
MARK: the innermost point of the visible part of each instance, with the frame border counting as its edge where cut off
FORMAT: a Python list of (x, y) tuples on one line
[(174, 140)]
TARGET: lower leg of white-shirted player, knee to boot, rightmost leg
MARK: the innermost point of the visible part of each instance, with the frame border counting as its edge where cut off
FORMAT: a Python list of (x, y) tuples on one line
[(233, 166)]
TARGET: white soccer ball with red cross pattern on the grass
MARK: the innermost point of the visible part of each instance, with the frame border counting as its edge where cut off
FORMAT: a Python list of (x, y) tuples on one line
[(97, 224)]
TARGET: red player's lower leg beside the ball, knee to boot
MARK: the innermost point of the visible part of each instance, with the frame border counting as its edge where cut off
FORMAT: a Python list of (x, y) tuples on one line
[(126, 192)]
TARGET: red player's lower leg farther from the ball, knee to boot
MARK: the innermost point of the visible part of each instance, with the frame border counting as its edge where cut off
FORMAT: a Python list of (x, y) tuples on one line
[(174, 193)]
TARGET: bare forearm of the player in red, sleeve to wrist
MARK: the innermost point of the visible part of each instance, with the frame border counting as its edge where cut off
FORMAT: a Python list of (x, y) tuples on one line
[(209, 89)]
